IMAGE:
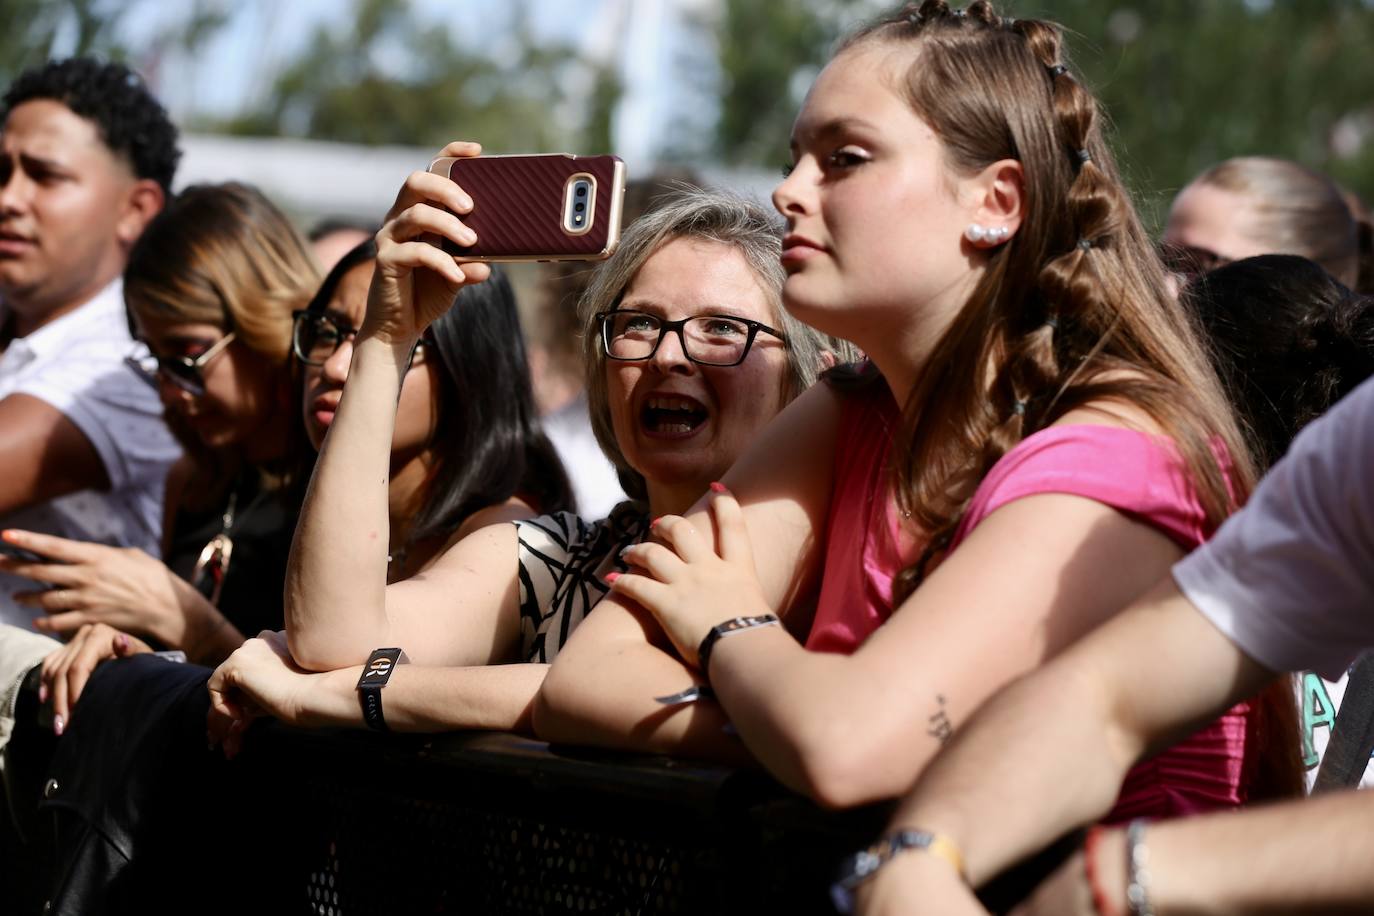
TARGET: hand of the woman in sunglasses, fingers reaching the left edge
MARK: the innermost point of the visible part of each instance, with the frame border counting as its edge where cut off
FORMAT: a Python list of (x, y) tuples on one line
[(97, 584)]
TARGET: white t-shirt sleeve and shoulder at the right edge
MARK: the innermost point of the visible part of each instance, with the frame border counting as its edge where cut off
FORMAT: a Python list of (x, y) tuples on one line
[(1291, 577)]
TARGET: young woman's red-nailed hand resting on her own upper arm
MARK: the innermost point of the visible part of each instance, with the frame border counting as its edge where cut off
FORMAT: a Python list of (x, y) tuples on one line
[(688, 586)]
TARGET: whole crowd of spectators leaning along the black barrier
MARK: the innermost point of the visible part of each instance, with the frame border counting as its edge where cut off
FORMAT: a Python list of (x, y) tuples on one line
[(951, 485)]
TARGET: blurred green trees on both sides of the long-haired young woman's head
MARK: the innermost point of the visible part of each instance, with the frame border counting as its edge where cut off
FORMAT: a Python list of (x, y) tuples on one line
[(1185, 83)]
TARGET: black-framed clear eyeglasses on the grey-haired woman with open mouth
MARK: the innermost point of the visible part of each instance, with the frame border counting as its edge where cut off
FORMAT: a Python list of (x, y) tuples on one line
[(708, 340)]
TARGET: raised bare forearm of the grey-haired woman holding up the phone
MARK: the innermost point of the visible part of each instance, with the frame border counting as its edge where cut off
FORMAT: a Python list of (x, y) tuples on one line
[(336, 588)]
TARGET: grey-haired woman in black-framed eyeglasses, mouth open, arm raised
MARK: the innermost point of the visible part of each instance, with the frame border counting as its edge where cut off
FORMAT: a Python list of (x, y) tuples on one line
[(690, 356)]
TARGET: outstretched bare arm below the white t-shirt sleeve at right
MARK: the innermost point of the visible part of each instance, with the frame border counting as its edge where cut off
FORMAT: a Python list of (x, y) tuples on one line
[(1052, 751)]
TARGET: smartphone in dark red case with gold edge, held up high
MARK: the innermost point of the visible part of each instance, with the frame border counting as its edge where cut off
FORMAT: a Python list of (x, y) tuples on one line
[(539, 208)]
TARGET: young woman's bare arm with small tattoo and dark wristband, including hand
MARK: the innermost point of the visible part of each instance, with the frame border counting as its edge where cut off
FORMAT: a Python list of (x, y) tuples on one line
[(855, 729)]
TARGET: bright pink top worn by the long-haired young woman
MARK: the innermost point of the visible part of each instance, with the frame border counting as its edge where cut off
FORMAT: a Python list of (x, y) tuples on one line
[(1131, 472)]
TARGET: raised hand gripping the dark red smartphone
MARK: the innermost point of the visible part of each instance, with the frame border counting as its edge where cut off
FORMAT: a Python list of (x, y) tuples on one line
[(416, 281)]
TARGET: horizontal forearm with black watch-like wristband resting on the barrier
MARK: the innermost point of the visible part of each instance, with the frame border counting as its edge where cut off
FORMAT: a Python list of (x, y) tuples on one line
[(433, 700)]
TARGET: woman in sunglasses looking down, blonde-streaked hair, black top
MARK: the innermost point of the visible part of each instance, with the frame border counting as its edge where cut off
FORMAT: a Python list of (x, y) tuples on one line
[(211, 288)]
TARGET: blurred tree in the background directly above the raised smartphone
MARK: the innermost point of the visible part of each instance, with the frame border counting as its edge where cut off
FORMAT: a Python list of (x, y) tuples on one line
[(394, 78)]
